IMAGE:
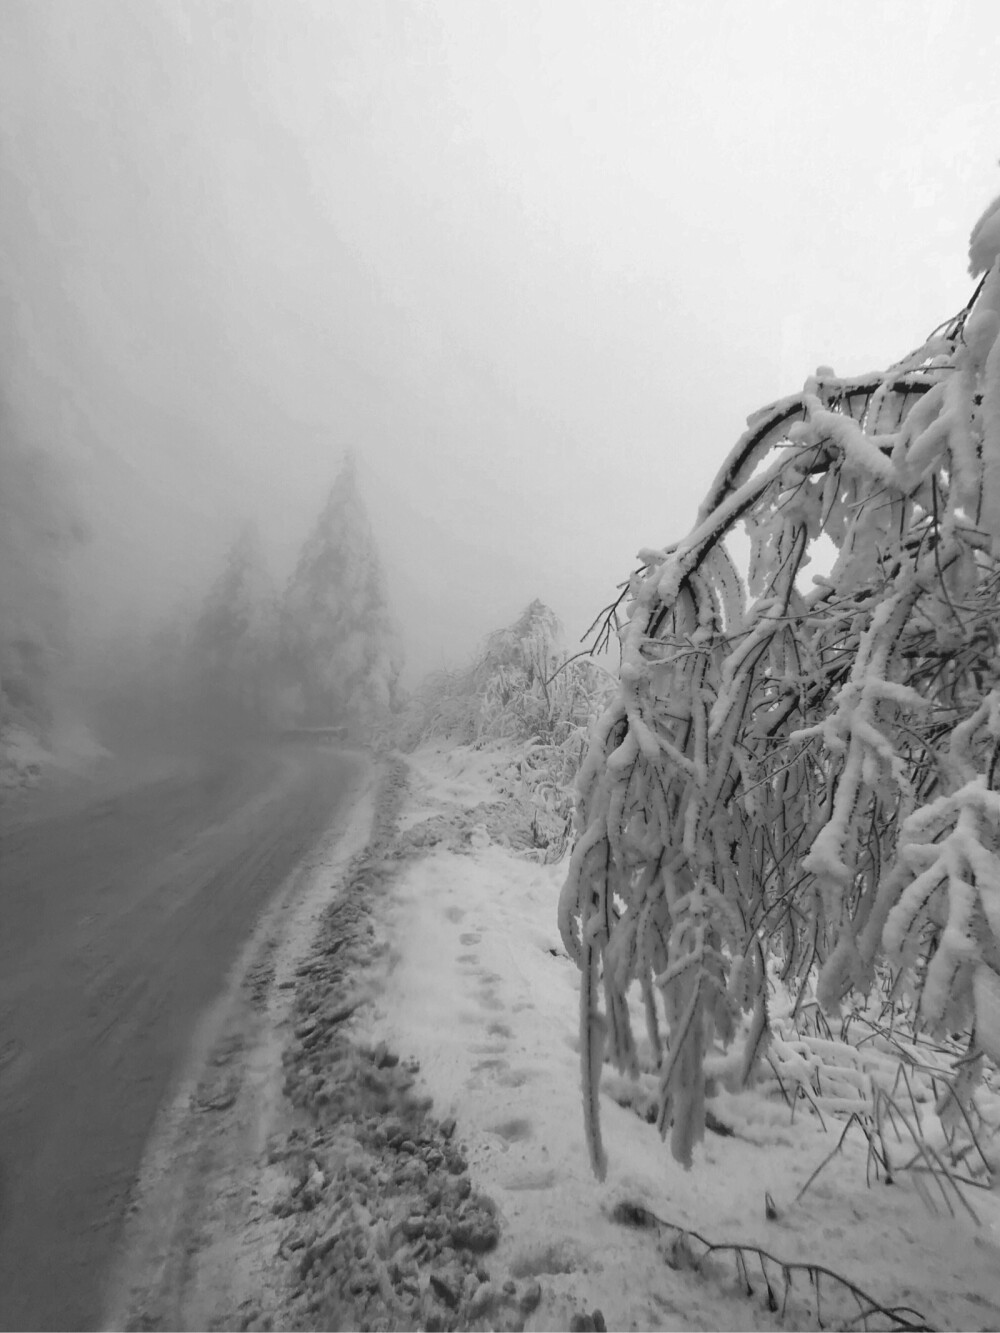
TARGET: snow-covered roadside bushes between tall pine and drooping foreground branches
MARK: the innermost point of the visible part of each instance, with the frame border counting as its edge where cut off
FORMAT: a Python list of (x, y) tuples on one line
[(521, 692)]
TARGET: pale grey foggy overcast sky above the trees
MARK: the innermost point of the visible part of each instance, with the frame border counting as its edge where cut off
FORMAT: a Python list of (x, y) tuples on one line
[(535, 263)]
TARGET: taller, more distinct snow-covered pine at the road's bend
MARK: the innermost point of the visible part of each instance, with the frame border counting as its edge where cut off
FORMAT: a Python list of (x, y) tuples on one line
[(341, 651)]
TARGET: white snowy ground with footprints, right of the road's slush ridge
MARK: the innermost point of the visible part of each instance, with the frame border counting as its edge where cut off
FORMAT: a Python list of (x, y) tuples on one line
[(479, 990)]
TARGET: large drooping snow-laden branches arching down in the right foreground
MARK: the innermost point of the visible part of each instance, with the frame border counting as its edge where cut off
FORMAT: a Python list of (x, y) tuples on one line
[(807, 771)]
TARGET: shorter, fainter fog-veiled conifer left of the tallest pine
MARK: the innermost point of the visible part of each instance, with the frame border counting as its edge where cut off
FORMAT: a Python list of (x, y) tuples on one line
[(233, 641)]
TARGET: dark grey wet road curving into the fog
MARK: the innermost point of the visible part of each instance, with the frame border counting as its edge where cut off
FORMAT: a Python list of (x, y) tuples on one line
[(123, 902)]
